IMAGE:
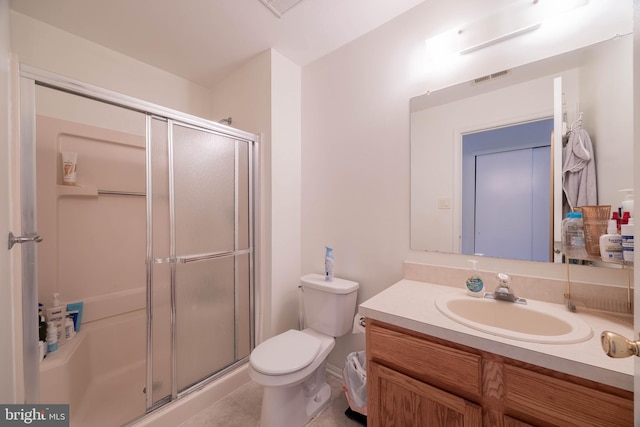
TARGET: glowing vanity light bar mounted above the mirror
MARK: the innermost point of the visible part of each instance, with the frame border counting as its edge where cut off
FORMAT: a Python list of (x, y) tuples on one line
[(520, 17)]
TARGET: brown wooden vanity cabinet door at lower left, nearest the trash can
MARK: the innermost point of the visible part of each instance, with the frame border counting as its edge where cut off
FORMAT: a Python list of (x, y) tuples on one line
[(398, 400)]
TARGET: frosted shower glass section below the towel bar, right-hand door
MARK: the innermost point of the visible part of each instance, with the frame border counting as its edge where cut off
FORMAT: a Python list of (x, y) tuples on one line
[(205, 318)]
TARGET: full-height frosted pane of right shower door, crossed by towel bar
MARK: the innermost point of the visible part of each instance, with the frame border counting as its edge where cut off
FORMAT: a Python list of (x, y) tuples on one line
[(204, 203)]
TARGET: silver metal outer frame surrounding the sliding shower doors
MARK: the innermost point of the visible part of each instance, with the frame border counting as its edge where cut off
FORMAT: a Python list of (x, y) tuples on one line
[(30, 77)]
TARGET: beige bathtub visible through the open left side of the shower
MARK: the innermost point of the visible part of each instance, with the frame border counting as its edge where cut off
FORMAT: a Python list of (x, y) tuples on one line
[(100, 373)]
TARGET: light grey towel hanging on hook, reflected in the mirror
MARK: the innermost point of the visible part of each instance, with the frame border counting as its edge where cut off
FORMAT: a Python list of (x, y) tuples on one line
[(579, 171)]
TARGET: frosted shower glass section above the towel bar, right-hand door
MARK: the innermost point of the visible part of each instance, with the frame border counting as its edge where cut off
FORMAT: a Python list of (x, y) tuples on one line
[(204, 182)]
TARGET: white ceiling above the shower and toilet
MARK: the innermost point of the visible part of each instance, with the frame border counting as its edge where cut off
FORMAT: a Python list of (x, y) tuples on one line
[(204, 40)]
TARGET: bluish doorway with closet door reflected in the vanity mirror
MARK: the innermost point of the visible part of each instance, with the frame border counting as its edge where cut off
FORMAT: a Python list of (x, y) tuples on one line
[(506, 192)]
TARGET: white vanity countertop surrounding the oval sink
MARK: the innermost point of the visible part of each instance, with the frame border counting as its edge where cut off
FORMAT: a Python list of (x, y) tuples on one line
[(411, 305)]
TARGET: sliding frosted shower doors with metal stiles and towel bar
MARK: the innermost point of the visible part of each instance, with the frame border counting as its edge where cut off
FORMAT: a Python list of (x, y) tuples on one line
[(201, 275)]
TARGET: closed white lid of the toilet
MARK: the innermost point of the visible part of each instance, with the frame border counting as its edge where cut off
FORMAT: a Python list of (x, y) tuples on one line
[(285, 353)]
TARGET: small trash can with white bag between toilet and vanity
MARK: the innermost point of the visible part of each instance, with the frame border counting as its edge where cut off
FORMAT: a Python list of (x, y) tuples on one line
[(354, 384)]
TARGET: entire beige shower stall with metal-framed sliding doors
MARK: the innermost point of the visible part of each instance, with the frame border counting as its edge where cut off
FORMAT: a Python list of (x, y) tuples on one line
[(156, 240)]
